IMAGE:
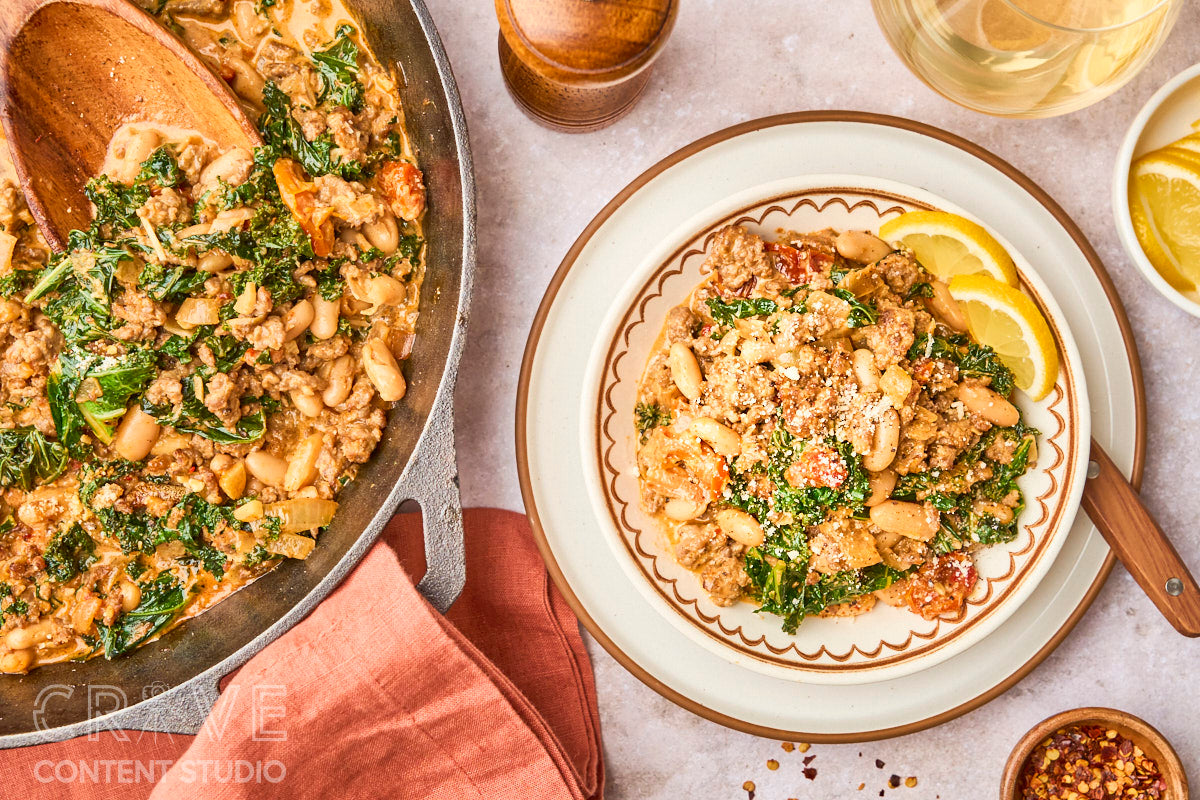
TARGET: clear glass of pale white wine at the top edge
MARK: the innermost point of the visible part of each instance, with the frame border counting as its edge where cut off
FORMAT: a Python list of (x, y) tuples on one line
[(1027, 58)]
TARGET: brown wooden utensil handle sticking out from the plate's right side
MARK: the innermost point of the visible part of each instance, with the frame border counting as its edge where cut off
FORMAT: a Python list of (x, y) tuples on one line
[(1141, 544)]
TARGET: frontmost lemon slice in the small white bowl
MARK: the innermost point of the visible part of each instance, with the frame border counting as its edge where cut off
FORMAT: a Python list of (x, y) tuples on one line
[(1165, 204)]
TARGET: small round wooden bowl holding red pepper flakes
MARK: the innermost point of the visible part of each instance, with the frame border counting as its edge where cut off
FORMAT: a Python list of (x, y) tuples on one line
[(1141, 732)]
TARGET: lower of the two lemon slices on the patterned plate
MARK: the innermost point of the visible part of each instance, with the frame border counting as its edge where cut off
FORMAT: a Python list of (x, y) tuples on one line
[(1009, 322)]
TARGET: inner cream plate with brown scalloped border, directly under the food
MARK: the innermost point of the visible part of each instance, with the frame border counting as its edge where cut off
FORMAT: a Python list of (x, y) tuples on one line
[(887, 642)]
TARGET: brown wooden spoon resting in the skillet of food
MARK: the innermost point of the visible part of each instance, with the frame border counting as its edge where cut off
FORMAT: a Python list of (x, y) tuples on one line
[(73, 73)]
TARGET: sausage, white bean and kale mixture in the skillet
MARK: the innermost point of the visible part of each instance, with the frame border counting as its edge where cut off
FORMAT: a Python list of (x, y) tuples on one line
[(187, 390)]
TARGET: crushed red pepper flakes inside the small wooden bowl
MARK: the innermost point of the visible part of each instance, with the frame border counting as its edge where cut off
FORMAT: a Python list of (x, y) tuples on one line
[(1090, 763)]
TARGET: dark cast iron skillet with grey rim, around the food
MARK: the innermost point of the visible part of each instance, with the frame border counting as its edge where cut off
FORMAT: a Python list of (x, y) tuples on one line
[(172, 684)]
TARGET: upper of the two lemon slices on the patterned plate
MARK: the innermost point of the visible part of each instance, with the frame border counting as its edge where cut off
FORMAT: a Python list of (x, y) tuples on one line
[(950, 245)]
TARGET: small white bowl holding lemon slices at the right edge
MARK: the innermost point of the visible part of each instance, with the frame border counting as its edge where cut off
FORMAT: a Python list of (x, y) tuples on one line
[(1166, 118)]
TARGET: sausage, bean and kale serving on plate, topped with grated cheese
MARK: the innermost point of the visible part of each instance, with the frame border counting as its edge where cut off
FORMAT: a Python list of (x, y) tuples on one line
[(818, 430)]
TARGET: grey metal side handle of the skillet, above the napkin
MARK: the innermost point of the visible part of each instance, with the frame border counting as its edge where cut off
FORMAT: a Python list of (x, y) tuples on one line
[(433, 480)]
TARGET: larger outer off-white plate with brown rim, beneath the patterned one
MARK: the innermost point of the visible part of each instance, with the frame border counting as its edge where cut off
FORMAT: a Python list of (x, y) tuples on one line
[(571, 321)]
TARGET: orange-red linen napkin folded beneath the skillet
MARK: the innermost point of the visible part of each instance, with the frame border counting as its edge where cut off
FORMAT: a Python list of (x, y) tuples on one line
[(377, 695)]
